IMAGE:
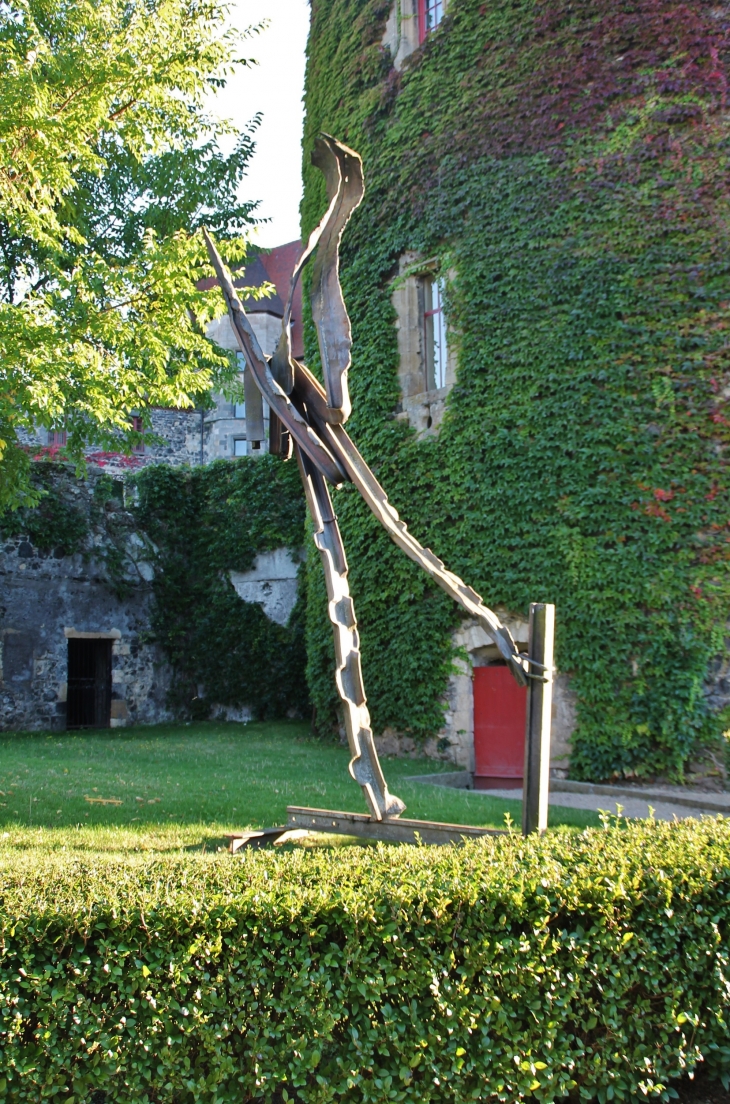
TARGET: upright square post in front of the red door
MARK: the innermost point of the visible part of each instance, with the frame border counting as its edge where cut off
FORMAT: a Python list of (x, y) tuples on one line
[(536, 782)]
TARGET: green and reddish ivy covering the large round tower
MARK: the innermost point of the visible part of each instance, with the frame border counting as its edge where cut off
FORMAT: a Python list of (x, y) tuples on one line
[(568, 162)]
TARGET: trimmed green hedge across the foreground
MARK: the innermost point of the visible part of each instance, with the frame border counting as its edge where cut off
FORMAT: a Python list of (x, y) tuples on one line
[(506, 969)]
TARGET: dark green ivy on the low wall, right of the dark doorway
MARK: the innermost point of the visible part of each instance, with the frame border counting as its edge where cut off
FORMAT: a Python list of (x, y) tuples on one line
[(206, 523)]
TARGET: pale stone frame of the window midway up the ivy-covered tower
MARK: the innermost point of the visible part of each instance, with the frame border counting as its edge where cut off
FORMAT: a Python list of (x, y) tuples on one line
[(421, 406)]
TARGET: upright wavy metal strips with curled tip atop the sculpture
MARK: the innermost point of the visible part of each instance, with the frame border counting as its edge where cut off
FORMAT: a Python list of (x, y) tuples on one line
[(343, 171)]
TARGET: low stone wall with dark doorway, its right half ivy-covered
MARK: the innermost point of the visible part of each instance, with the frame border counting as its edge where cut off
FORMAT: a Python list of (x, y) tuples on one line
[(151, 559)]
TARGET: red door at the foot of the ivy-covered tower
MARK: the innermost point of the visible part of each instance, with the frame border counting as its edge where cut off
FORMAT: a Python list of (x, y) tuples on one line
[(500, 712)]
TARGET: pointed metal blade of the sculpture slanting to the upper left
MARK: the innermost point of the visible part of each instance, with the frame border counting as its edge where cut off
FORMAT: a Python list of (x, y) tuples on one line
[(302, 433)]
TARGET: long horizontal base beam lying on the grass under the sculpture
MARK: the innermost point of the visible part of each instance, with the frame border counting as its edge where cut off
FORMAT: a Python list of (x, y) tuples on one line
[(397, 831)]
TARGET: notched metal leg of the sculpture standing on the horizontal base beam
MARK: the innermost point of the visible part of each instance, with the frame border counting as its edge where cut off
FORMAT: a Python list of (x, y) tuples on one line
[(365, 766)]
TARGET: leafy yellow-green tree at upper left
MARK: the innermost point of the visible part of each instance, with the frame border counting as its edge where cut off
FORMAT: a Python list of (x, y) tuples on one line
[(110, 163)]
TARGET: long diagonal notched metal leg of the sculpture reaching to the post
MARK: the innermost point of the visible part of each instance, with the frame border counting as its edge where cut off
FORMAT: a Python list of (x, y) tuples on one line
[(309, 391)]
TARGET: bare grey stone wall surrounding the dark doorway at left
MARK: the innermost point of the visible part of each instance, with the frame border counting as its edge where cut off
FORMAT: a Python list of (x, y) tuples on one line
[(48, 599)]
